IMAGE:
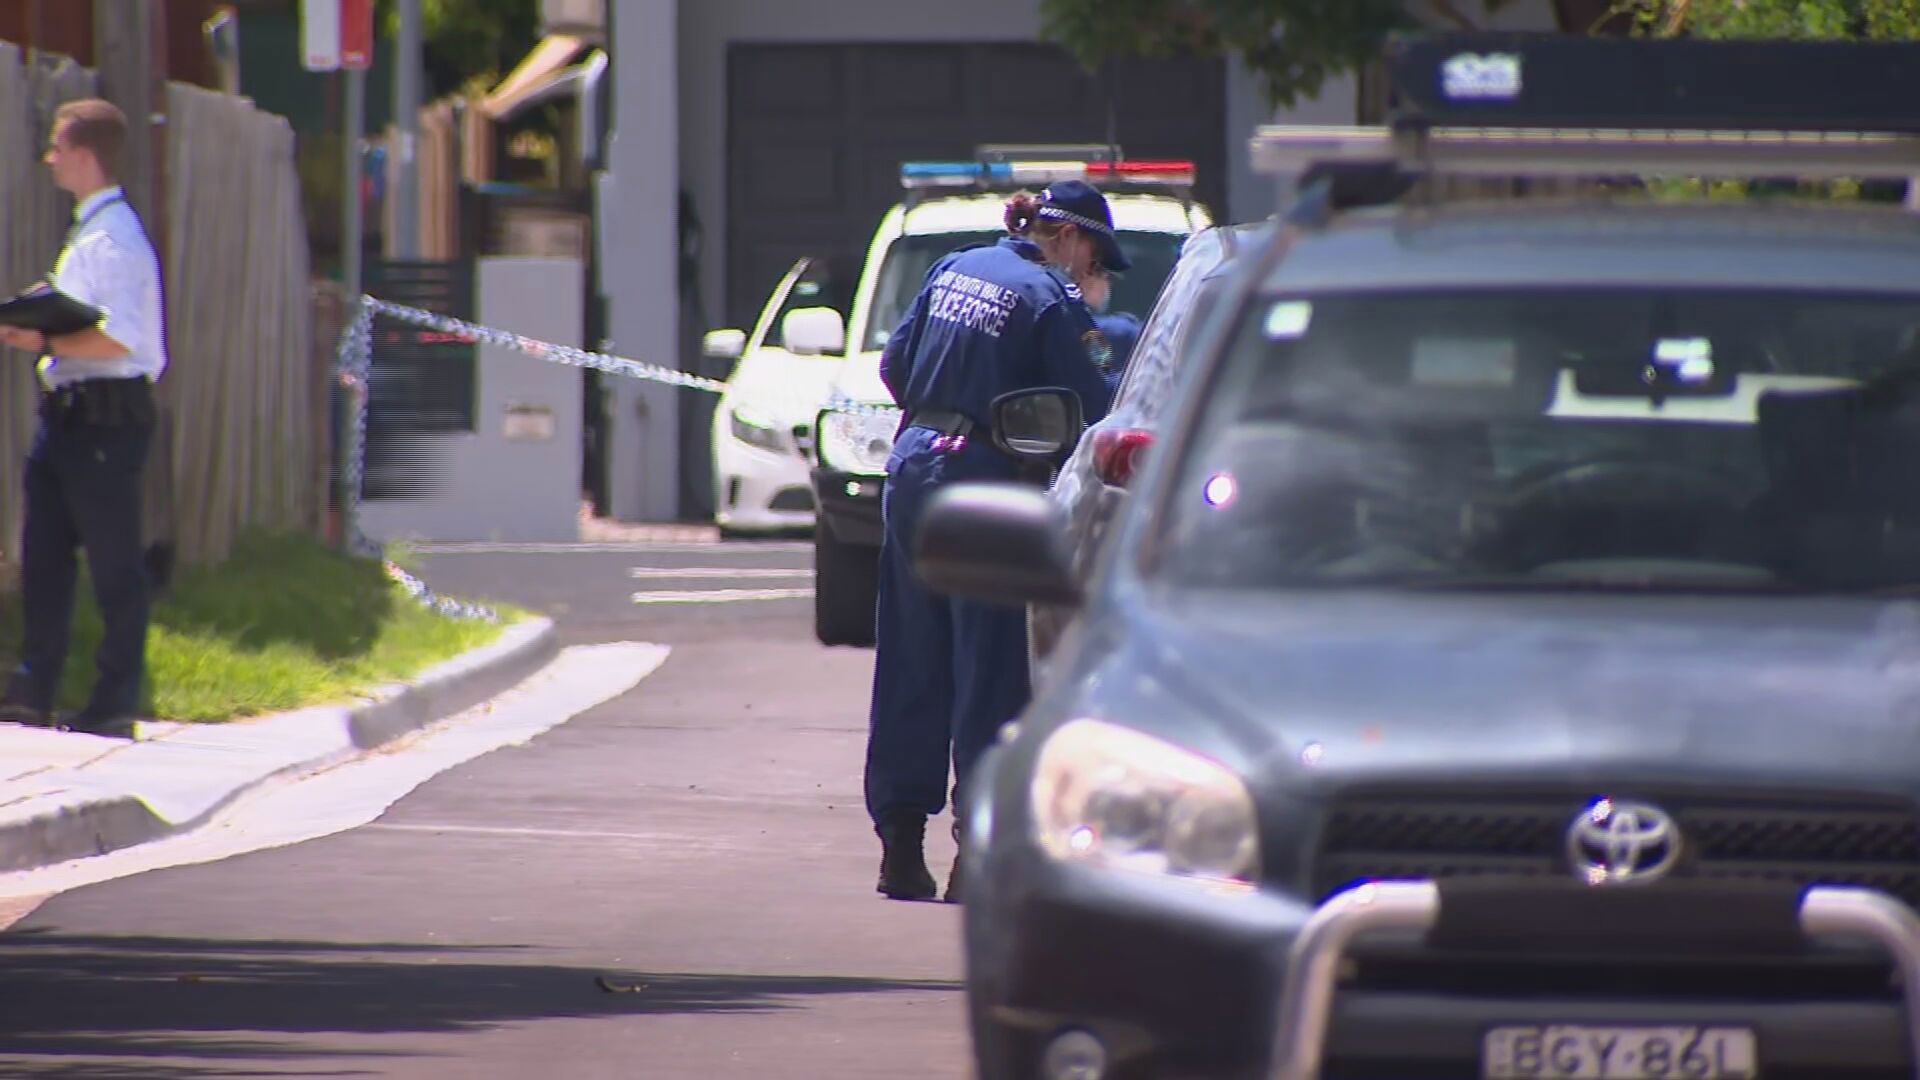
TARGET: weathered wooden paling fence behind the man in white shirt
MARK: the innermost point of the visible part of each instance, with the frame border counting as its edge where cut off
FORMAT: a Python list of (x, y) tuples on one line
[(245, 433)]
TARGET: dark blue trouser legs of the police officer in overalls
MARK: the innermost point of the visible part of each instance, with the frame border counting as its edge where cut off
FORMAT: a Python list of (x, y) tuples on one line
[(948, 674)]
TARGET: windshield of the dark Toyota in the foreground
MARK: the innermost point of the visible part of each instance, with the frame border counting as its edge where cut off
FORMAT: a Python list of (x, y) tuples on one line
[(1595, 439)]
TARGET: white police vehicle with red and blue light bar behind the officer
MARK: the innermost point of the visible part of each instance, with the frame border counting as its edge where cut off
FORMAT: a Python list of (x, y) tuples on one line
[(951, 205)]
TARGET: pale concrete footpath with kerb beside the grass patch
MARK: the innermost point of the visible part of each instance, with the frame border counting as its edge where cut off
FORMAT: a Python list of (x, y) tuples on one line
[(68, 797)]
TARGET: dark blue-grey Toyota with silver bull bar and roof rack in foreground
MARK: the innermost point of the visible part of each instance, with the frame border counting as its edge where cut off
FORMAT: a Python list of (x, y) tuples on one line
[(1506, 662)]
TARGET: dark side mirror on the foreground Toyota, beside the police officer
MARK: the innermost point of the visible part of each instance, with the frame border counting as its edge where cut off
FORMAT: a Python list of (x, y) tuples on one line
[(997, 545)]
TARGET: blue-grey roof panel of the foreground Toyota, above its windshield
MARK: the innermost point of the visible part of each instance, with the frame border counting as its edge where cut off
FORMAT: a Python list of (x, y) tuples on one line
[(1610, 243)]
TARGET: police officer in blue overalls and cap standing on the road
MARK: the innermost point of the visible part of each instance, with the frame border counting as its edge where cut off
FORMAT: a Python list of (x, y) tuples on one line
[(948, 674)]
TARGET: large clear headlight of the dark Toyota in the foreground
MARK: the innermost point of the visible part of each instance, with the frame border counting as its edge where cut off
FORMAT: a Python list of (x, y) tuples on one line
[(1118, 798)]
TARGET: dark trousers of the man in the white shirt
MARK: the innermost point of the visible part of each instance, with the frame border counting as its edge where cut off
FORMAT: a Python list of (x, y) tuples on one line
[(84, 493)]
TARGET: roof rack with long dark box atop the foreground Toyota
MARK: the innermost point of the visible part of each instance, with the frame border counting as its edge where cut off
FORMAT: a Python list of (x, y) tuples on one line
[(1539, 105)]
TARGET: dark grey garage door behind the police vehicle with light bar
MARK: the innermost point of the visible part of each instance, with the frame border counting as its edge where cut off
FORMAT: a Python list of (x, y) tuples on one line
[(817, 135)]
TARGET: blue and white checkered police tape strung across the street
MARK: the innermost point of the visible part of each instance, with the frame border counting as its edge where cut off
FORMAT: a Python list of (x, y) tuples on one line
[(354, 364)]
